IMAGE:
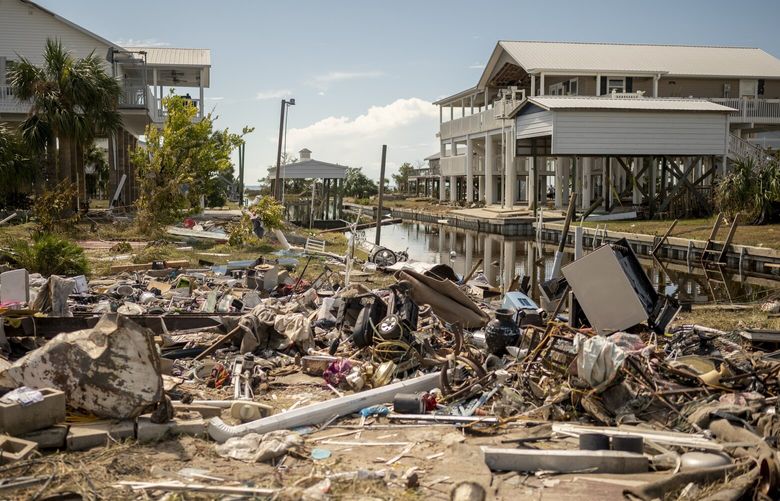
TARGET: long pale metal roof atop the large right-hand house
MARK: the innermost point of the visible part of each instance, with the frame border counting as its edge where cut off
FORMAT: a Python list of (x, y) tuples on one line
[(671, 59)]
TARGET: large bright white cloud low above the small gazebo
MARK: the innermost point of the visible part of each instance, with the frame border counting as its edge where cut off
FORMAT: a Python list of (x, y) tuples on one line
[(404, 125)]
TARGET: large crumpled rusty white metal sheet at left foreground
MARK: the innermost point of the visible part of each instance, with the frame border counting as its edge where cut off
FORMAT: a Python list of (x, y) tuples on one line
[(112, 370)]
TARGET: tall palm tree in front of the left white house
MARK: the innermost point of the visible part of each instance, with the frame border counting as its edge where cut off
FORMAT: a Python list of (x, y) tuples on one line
[(72, 101)]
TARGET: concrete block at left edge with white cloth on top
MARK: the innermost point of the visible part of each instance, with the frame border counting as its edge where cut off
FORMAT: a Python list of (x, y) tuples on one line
[(16, 419)]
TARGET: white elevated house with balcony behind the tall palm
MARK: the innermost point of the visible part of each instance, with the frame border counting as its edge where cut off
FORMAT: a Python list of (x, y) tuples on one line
[(145, 75)]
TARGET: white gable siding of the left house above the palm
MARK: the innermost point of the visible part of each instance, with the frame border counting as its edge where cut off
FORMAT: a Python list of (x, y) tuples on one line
[(24, 30)]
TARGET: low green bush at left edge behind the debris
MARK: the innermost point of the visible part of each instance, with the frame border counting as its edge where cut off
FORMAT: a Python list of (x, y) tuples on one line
[(48, 254)]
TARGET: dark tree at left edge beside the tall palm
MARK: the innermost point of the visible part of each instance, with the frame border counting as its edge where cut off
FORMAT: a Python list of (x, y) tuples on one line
[(18, 169)]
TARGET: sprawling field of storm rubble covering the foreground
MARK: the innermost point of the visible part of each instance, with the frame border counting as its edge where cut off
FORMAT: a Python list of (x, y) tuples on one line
[(258, 363)]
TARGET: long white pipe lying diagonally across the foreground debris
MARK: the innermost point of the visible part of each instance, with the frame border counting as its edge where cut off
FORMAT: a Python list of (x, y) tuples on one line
[(322, 411)]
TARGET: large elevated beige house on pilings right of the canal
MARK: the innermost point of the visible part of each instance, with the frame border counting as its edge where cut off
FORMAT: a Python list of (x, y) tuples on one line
[(645, 127)]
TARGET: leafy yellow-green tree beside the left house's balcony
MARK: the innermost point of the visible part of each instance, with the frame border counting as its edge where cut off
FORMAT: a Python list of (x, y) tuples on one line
[(178, 162)]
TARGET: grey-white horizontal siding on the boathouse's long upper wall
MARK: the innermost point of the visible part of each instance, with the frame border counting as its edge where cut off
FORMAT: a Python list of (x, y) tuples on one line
[(639, 133)]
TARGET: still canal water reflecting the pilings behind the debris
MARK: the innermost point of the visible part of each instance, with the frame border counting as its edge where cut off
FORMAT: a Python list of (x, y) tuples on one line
[(505, 257)]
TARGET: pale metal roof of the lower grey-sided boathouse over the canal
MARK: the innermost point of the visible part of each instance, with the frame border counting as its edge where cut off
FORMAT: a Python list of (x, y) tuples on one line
[(633, 103)]
